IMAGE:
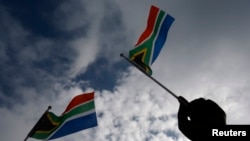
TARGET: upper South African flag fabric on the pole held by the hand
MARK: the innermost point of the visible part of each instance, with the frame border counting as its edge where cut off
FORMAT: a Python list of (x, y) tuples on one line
[(152, 39)]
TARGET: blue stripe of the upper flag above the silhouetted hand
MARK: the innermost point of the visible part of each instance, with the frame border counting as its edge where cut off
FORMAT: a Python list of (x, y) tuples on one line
[(162, 36)]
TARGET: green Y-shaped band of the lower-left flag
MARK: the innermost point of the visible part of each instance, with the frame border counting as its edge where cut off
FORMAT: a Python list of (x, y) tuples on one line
[(81, 109)]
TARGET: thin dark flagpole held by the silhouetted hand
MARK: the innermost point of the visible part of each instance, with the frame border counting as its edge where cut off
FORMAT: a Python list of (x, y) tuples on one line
[(152, 78)]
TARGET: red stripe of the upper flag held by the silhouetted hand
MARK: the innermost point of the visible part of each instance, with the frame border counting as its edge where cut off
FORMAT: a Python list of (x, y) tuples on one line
[(150, 25)]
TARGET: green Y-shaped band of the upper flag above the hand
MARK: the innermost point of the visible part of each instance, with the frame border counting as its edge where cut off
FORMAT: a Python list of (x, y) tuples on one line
[(149, 42)]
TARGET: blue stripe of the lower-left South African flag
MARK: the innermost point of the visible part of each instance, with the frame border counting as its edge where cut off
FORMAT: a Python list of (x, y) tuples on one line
[(76, 125)]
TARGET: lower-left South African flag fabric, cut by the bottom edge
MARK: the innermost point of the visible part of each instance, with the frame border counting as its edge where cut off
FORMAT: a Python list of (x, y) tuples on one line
[(79, 115)]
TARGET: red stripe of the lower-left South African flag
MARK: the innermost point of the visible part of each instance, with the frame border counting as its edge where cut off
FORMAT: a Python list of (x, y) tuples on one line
[(79, 100)]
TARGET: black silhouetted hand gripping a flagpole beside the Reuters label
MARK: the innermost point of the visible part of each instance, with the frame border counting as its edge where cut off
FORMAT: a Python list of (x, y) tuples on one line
[(198, 117)]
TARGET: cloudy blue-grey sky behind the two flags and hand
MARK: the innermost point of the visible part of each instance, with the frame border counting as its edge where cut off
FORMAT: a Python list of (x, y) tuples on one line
[(51, 51)]
